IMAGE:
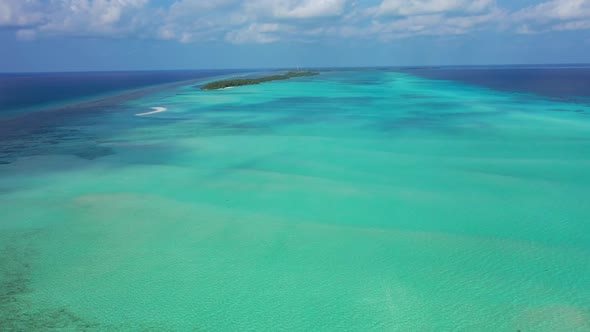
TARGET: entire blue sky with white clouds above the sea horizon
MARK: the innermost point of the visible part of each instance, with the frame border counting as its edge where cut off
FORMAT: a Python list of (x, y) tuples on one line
[(95, 35)]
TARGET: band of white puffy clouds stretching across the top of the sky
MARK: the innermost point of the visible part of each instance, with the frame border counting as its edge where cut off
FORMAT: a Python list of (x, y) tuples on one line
[(268, 21)]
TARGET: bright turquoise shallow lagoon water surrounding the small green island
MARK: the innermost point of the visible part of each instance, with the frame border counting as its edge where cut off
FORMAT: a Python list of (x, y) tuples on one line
[(347, 201)]
